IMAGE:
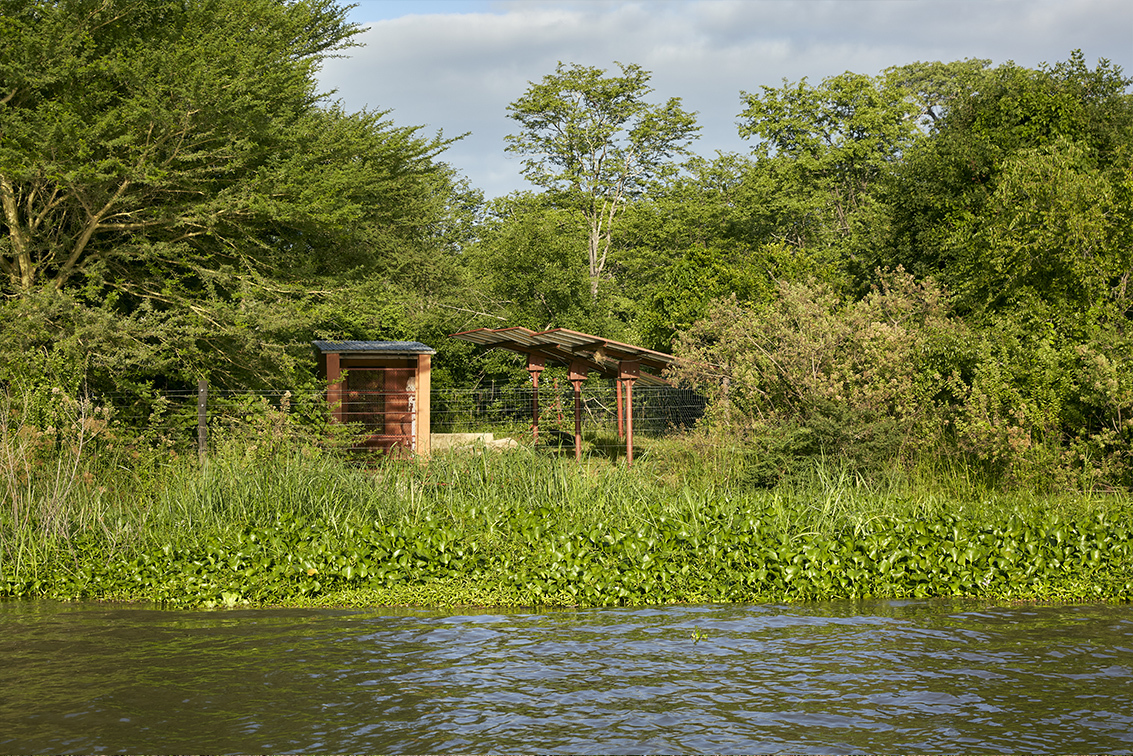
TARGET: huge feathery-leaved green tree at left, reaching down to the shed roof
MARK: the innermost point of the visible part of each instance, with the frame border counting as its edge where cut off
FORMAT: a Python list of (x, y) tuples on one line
[(178, 200)]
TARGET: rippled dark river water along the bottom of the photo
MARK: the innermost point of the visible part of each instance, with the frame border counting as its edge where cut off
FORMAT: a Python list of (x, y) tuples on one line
[(848, 678)]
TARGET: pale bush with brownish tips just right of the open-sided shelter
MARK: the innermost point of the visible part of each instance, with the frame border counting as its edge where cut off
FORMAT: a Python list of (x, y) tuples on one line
[(857, 378)]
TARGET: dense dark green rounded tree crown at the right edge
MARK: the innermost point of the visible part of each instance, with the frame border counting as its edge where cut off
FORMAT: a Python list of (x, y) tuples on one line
[(1020, 188)]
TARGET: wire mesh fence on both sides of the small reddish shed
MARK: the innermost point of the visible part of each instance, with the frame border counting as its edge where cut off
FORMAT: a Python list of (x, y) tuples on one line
[(186, 420)]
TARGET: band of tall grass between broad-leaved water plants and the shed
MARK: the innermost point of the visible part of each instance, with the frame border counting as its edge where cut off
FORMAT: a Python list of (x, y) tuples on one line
[(76, 483)]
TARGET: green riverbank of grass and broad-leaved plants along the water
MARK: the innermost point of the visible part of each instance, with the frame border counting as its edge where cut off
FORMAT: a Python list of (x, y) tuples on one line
[(302, 528)]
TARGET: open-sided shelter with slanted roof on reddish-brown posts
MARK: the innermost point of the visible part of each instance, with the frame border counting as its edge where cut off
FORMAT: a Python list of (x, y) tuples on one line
[(583, 354)]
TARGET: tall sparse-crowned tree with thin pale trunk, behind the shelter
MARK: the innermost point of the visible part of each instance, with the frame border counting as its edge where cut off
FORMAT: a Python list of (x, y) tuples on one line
[(594, 143)]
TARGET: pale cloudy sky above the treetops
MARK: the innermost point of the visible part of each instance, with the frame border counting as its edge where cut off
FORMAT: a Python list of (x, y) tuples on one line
[(456, 65)]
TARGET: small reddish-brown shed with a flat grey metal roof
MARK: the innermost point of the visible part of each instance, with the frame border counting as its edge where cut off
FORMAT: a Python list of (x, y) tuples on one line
[(385, 386)]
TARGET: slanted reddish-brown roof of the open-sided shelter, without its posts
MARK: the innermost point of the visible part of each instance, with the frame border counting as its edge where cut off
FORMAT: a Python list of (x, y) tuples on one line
[(566, 347)]
